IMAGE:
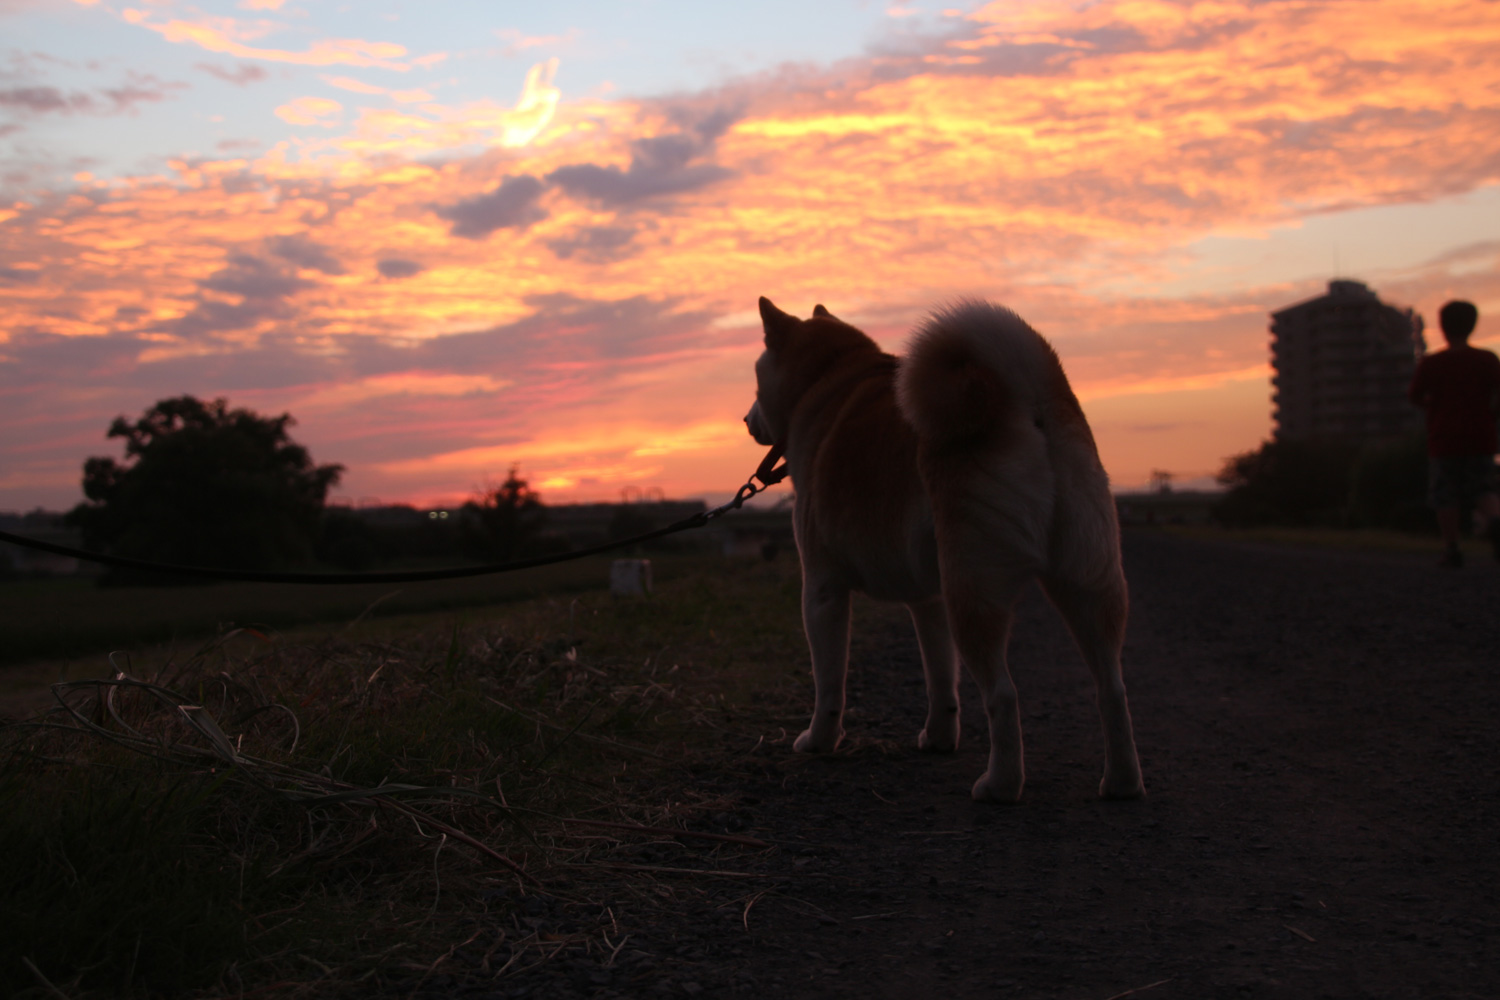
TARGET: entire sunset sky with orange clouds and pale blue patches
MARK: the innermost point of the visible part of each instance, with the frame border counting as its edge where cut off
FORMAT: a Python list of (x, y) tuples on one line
[(454, 236)]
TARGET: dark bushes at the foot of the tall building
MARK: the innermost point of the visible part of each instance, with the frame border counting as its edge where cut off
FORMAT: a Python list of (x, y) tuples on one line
[(1330, 485)]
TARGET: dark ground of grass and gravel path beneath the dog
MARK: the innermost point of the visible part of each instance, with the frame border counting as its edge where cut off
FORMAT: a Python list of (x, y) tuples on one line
[(575, 797)]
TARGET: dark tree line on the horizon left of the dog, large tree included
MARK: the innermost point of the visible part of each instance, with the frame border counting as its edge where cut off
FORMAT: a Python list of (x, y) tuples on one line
[(206, 485)]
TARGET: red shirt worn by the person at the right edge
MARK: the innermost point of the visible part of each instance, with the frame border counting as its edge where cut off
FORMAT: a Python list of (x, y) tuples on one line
[(1459, 389)]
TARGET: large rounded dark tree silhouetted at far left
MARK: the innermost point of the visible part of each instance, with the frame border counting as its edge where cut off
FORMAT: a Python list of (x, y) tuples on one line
[(205, 485)]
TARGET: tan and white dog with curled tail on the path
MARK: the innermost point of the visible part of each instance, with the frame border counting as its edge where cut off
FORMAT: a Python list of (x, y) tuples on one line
[(946, 481)]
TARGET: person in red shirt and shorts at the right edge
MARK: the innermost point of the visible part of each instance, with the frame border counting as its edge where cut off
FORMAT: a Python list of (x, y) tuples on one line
[(1460, 391)]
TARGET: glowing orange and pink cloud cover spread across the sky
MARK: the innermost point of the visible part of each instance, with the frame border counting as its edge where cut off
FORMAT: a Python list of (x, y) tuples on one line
[(580, 293)]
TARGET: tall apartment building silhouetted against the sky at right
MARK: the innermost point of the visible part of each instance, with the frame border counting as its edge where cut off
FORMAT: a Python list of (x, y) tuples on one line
[(1343, 365)]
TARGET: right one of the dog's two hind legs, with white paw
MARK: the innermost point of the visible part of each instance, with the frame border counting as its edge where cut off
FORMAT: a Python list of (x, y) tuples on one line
[(1097, 618)]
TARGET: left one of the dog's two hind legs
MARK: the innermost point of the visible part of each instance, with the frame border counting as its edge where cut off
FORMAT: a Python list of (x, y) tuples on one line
[(982, 629)]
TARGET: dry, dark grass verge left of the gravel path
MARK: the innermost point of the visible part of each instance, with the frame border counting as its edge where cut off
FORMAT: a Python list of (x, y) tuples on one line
[(337, 810)]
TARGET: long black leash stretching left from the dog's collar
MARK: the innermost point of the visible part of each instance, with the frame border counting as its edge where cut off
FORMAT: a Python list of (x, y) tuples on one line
[(766, 473)]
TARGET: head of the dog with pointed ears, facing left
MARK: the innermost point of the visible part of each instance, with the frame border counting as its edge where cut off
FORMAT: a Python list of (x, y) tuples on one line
[(797, 355)]
